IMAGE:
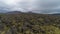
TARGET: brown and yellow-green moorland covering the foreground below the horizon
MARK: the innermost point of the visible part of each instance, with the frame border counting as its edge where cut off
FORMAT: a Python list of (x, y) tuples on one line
[(29, 24)]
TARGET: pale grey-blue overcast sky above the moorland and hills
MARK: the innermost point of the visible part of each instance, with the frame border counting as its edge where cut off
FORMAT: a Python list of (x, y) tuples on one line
[(37, 6)]
